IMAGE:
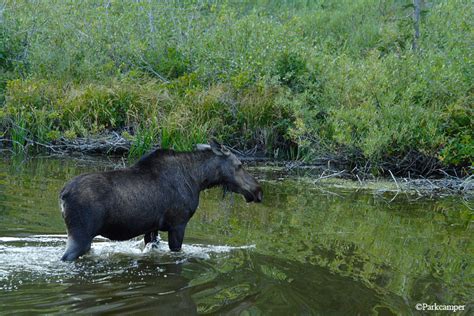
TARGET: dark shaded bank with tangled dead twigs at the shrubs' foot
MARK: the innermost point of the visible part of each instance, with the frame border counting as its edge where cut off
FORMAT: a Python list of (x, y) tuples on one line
[(350, 163)]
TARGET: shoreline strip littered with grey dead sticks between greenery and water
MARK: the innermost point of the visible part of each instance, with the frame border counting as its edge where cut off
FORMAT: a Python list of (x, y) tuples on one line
[(326, 170)]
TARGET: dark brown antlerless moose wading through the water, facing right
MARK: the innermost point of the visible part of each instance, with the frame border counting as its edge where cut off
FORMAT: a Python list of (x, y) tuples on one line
[(159, 193)]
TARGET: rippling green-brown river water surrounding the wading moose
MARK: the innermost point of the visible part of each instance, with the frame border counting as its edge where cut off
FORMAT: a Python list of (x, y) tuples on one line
[(307, 249)]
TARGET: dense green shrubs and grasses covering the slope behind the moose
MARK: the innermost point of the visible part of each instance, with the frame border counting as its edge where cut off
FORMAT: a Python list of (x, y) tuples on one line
[(297, 79)]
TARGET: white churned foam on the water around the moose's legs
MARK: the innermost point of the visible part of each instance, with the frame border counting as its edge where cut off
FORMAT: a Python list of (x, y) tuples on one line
[(41, 253)]
